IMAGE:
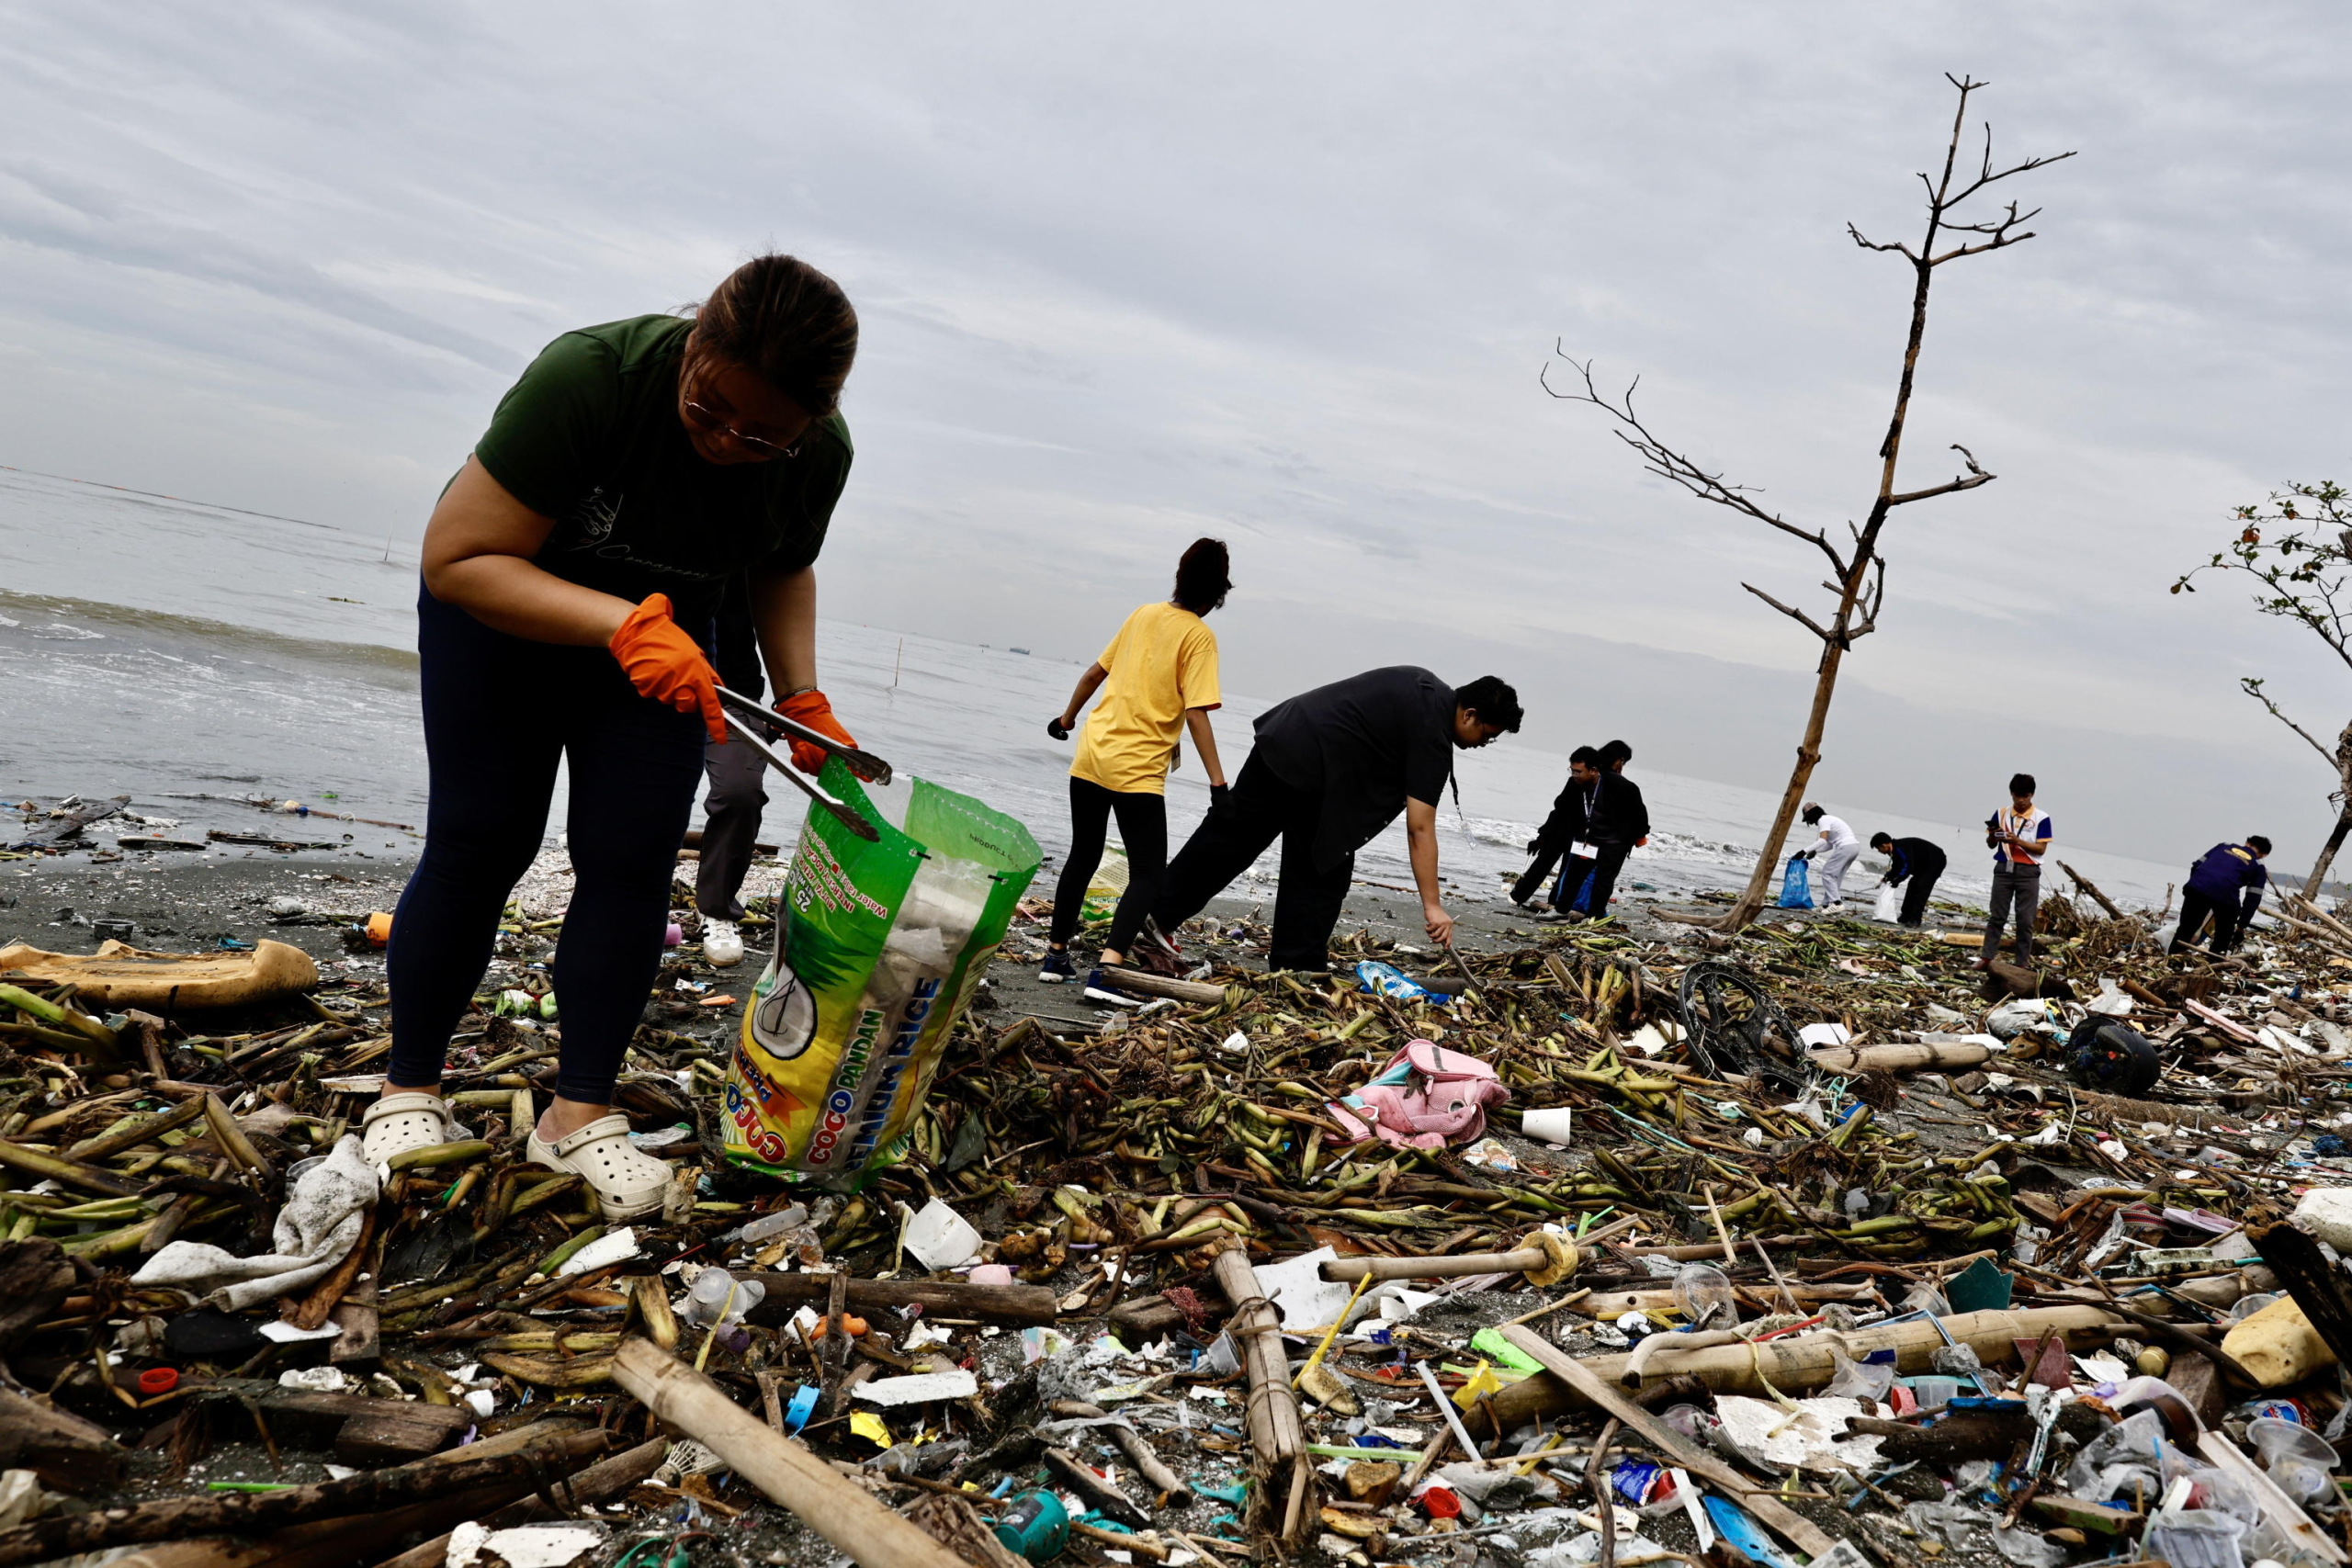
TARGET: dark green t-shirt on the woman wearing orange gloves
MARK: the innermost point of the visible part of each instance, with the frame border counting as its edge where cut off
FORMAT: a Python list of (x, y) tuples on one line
[(592, 438)]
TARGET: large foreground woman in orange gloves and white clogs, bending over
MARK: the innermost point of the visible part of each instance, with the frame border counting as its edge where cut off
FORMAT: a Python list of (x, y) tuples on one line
[(568, 572)]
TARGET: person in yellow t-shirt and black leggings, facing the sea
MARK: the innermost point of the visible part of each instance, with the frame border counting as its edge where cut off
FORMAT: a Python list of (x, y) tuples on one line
[(1158, 678)]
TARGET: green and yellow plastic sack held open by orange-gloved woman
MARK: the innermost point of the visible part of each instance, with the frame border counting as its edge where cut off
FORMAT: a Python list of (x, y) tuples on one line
[(881, 946)]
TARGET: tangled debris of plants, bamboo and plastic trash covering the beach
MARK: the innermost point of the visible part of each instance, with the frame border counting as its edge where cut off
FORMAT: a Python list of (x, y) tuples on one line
[(1626, 1245)]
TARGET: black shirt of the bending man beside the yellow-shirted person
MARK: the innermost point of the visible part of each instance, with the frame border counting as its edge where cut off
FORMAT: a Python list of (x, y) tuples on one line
[(1365, 744)]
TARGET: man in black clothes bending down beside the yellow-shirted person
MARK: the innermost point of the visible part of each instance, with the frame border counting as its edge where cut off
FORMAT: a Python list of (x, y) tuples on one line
[(1335, 768)]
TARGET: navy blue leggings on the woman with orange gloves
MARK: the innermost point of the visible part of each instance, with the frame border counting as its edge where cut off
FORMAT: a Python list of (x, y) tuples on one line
[(500, 716)]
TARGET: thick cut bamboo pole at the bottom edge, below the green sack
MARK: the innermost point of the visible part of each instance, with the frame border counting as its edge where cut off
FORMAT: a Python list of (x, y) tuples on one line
[(787, 1473)]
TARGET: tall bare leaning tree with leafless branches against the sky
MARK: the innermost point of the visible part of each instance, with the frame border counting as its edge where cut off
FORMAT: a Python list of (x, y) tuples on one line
[(1857, 568)]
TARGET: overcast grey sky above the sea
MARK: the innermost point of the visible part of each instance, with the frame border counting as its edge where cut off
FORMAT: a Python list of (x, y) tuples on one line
[(1288, 276)]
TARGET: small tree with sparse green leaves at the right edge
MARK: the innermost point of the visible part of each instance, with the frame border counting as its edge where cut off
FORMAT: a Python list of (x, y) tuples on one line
[(2299, 549)]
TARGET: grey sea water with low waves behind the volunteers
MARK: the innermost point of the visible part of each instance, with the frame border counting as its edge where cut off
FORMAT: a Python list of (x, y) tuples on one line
[(163, 650)]
